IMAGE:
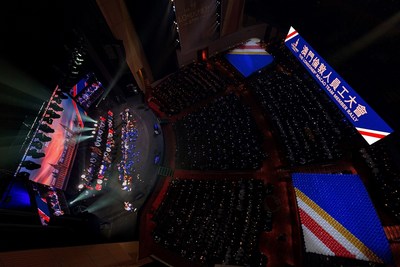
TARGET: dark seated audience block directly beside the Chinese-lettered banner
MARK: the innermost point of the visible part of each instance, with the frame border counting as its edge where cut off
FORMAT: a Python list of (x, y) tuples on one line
[(308, 127)]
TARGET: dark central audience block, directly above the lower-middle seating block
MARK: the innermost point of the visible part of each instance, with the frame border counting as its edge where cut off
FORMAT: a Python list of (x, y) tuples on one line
[(220, 136)]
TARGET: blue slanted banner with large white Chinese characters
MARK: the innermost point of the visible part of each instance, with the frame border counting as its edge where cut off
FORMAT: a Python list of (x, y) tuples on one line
[(361, 115)]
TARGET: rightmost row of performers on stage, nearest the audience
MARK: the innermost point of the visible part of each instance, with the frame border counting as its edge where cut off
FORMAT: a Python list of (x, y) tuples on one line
[(130, 155)]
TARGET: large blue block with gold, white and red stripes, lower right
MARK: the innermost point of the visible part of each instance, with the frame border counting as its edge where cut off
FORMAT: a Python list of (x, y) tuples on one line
[(338, 218)]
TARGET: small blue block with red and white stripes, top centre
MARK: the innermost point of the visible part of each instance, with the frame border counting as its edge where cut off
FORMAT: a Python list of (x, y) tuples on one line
[(249, 58)]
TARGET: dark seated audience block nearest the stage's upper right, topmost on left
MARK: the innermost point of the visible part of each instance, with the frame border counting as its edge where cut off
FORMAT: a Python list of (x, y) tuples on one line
[(189, 85)]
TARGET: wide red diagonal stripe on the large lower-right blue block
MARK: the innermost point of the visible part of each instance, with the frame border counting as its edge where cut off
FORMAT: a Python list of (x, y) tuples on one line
[(324, 236)]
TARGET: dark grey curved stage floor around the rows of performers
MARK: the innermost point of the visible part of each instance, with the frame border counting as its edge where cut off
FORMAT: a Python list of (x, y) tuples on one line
[(117, 224)]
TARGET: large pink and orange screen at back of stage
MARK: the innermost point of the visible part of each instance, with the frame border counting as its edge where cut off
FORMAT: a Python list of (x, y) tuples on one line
[(54, 157)]
